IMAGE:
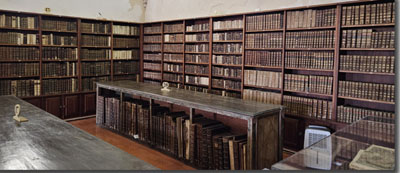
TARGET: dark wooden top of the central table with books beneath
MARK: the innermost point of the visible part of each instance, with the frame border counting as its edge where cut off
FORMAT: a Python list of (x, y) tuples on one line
[(229, 106)]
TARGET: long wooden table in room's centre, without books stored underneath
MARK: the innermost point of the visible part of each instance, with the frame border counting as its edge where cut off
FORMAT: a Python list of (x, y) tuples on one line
[(264, 121)]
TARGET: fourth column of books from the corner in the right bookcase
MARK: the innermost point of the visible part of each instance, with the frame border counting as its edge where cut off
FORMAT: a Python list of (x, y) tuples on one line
[(227, 55)]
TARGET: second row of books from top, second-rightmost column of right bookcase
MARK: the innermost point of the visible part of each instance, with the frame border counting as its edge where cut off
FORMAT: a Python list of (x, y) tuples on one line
[(311, 39)]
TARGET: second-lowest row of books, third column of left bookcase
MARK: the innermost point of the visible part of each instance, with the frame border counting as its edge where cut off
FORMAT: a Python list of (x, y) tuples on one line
[(95, 68)]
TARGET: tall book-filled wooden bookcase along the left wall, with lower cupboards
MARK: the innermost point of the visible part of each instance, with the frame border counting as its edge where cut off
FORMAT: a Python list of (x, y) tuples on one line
[(59, 82)]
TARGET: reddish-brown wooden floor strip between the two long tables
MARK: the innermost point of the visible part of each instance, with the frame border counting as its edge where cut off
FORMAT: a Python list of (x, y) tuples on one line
[(140, 151)]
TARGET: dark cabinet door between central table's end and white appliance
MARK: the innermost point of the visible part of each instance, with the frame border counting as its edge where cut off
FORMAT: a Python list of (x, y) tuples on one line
[(294, 132)]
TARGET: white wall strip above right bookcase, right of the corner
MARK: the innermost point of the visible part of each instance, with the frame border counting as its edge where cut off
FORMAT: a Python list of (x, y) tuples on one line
[(158, 10)]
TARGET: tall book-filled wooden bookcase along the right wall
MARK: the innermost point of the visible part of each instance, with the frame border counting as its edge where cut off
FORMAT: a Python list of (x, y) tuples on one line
[(288, 55)]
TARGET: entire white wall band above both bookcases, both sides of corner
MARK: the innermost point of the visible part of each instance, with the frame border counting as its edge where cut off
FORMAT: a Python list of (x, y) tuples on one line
[(155, 10)]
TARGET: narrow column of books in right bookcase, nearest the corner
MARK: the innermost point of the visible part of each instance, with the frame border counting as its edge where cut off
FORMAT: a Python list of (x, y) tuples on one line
[(152, 53)]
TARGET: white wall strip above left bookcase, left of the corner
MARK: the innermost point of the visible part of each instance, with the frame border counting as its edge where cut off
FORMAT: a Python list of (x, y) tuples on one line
[(123, 10)]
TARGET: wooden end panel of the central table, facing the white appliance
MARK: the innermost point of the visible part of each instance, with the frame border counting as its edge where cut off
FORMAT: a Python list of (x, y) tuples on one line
[(267, 142)]
